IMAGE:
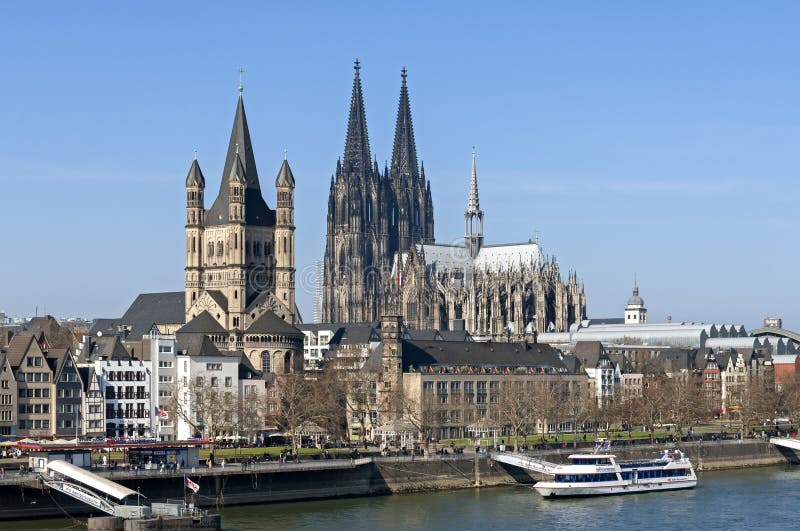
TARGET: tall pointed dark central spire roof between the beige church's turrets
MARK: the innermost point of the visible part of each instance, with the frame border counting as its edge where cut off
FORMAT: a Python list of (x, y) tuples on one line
[(240, 147)]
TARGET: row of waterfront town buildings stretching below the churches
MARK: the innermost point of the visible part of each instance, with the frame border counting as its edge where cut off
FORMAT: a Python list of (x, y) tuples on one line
[(135, 380)]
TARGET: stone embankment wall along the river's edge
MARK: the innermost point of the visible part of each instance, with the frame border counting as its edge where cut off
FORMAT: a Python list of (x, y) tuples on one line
[(309, 480)]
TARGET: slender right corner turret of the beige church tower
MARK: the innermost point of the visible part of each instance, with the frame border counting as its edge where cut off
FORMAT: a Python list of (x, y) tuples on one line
[(284, 237)]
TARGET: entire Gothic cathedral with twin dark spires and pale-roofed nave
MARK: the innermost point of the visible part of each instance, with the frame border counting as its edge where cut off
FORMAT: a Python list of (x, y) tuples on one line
[(381, 256)]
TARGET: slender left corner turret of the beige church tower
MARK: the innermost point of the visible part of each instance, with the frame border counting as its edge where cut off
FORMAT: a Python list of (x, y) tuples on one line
[(195, 187)]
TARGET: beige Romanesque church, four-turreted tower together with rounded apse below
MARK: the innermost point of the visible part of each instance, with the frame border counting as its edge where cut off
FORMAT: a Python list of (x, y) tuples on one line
[(240, 266)]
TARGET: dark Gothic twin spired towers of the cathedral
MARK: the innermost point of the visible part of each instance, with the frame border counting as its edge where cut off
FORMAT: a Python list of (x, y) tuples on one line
[(372, 215)]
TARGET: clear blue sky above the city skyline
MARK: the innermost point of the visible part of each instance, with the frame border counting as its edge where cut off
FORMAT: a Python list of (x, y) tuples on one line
[(656, 140)]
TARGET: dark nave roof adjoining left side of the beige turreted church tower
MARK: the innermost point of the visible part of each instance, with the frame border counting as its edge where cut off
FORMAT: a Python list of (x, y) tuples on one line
[(154, 308)]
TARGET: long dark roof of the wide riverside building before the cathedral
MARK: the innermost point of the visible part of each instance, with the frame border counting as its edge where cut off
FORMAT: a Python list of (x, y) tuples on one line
[(418, 353)]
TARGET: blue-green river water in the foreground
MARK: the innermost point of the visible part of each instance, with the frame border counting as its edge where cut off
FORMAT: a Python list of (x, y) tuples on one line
[(762, 498)]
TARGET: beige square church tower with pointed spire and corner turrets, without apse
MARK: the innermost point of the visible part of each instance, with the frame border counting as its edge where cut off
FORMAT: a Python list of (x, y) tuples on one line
[(239, 253)]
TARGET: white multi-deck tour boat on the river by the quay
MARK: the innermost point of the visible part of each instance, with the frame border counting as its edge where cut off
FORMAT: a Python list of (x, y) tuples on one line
[(602, 474)]
